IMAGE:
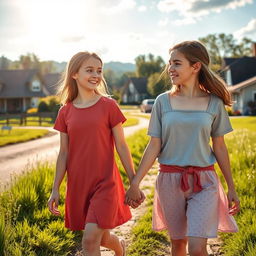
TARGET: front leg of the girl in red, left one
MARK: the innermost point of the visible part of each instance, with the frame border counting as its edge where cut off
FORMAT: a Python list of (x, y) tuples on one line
[(91, 239)]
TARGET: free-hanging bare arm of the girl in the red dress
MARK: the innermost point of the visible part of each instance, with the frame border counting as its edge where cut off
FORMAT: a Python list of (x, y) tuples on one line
[(53, 201)]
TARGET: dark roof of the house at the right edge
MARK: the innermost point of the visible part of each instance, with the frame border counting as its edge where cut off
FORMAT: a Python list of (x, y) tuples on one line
[(241, 68)]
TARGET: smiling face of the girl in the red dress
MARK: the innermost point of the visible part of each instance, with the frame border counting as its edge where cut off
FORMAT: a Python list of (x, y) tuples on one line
[(89, 74)]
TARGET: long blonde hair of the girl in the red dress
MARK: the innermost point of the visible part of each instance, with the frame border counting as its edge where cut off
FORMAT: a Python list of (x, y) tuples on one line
[(68, 90)]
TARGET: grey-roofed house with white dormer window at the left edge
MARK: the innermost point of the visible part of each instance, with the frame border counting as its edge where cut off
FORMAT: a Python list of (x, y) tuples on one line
[(22, 89)]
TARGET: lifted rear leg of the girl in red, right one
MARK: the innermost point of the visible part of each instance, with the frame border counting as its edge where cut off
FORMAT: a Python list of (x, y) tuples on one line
[(112, 242)]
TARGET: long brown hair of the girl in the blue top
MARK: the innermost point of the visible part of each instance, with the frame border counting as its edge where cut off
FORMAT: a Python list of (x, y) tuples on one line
[(195, 51)]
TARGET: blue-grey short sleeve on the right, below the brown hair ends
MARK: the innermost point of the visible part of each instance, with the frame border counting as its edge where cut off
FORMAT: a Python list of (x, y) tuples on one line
[(221, 123)]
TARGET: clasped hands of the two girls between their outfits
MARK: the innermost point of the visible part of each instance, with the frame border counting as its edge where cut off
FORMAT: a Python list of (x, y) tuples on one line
[(134, 196)]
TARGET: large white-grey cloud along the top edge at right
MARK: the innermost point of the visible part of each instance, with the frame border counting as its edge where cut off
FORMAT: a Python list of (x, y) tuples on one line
[(192, 10)]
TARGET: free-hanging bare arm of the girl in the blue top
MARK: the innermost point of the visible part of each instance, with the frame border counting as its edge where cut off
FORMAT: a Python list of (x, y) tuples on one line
[(221, 154)]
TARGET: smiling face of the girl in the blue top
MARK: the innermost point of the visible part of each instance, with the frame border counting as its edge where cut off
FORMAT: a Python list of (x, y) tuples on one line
[(180, 70)]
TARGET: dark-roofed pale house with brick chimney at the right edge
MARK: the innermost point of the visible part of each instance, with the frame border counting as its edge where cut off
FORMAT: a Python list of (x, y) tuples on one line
[(240, 76)]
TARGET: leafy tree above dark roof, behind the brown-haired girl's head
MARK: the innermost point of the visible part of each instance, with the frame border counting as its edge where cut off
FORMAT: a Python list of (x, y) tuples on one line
[(222, 45)]
